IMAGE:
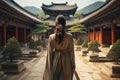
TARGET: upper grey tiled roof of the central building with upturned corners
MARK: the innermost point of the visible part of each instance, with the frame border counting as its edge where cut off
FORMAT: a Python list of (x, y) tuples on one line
[(59, 8)]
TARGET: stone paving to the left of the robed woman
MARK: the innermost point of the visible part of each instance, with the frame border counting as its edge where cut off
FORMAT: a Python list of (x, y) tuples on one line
[(34, 69)]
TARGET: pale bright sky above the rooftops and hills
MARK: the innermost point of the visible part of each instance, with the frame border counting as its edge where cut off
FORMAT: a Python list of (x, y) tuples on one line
[(38, 3)]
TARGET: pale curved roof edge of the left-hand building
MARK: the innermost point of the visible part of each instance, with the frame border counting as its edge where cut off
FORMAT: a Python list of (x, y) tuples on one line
[(19, 9)]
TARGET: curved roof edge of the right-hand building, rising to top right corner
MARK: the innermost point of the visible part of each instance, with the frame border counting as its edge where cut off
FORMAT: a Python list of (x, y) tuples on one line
[(100, 12)]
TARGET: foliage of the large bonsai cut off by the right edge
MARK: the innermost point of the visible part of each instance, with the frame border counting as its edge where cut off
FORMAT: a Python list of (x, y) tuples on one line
[(114, 52)]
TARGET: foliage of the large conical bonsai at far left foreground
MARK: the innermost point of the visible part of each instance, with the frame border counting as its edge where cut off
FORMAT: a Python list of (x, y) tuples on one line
[(12, 50)]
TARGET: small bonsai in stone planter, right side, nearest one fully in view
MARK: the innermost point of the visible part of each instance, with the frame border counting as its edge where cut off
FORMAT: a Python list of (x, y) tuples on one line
[(93, 46)]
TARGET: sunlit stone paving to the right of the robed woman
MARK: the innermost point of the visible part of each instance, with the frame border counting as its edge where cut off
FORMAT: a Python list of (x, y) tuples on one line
[(92, 70)]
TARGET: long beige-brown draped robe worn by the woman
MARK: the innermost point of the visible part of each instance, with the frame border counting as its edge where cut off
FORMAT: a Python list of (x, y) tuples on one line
[(60, 60)]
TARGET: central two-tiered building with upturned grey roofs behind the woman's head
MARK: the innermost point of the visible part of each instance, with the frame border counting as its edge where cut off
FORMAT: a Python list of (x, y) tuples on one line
[(55, 9)]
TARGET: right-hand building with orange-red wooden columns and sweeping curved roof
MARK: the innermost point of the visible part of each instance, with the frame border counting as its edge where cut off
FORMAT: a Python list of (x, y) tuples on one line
[(104, 24)]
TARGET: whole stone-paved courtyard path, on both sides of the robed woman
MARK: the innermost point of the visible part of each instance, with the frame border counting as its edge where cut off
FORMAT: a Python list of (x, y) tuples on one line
[(86, 70)]
